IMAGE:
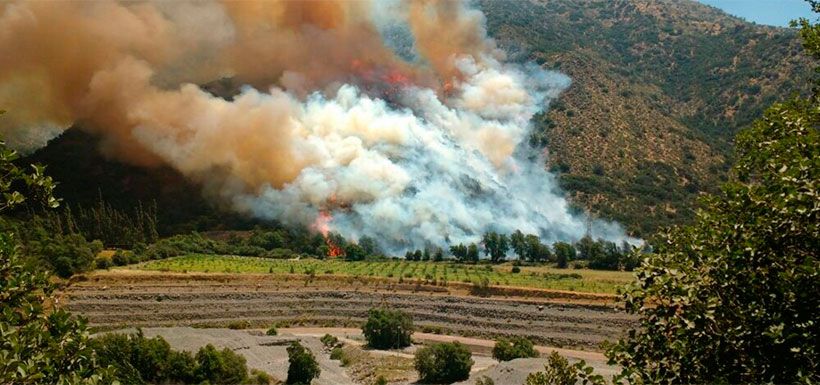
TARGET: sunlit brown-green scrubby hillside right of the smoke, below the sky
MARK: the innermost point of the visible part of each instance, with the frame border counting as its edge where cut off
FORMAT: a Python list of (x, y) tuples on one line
[(660, 87)]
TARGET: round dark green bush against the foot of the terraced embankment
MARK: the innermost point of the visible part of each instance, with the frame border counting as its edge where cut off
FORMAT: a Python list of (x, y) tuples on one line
[(388, 329)]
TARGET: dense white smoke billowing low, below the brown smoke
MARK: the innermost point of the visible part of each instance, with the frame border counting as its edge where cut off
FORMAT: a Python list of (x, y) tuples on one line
[(433, 171)]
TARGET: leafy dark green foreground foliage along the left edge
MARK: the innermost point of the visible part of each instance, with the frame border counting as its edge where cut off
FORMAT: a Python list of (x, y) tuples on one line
[(38, 344)]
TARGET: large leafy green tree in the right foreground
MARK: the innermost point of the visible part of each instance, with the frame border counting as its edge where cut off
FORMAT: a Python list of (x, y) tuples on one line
[(734, 297)]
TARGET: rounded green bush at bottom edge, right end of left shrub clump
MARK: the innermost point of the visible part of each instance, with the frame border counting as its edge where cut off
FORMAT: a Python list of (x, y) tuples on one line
[(220, 367)]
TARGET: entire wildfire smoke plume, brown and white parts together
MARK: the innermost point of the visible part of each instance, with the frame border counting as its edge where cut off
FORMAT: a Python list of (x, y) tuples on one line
[(398, 120)]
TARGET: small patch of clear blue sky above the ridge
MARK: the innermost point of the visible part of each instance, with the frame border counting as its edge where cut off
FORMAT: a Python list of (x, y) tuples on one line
[(771, 12)]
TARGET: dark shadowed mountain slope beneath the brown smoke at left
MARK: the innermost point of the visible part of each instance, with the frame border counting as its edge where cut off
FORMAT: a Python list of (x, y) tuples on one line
[(85, 177)]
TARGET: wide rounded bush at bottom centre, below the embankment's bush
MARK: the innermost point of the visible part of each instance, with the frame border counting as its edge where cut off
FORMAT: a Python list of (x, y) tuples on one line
[(443, 363)]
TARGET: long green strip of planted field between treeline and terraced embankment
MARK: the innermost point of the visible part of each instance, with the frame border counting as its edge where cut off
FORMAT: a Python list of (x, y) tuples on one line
[(541, 277)]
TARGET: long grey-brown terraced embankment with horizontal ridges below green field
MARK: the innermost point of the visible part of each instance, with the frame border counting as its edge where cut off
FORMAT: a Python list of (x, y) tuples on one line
[(121, 299)]
